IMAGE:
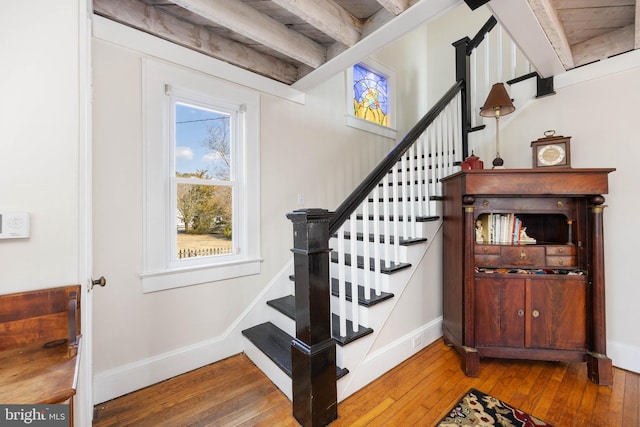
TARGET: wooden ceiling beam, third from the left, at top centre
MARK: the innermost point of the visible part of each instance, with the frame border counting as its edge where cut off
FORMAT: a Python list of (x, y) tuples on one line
[(328, 17)]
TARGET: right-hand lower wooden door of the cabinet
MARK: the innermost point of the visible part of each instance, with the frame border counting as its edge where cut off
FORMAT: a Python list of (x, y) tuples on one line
[(556, 314)]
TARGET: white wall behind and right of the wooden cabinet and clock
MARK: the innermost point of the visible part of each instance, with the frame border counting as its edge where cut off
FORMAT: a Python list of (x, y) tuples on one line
[(601, 116)]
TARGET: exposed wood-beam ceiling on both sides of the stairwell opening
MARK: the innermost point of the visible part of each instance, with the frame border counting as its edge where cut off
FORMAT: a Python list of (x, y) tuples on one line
[(286, 40)]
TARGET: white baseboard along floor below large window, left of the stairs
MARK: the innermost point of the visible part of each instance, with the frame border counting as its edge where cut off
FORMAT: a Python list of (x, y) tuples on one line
[(124, 379)]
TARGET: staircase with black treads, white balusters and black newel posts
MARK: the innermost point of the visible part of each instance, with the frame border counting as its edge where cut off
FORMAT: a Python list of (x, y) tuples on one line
[(380, 238)]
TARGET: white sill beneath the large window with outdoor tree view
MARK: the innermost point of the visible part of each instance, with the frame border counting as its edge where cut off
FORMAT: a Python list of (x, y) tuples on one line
[(177, 278)]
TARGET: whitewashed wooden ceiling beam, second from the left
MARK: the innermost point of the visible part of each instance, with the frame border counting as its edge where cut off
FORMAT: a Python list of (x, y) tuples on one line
[(247, 21)]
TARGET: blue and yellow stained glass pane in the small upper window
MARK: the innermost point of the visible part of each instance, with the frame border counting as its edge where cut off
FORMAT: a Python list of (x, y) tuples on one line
[(370, 95)]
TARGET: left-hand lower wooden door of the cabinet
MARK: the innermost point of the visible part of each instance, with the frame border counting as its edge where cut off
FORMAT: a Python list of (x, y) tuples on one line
[(499, 311)]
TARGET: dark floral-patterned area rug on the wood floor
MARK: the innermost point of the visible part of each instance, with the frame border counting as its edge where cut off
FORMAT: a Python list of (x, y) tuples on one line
[(479, 409)]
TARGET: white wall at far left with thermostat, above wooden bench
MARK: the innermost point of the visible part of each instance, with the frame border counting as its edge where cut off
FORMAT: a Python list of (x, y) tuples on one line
[(39, 128)]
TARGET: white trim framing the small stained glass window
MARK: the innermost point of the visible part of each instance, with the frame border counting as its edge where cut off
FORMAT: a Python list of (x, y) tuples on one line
[(366, 125)]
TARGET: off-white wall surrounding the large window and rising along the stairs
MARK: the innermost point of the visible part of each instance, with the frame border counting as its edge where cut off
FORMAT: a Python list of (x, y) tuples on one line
[(306, 149)]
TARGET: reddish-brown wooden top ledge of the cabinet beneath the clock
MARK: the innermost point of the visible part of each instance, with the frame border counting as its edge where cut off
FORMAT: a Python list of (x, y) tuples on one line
[(533, 182)]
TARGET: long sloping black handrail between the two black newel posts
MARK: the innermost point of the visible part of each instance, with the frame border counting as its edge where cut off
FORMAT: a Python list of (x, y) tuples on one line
[(351, 203)]
